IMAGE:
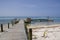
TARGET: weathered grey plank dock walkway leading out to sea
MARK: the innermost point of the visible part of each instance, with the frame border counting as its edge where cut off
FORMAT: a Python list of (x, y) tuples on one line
[(16, 32)]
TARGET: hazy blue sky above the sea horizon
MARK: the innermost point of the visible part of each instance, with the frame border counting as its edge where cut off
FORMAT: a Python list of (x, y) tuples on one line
[(30, 8)]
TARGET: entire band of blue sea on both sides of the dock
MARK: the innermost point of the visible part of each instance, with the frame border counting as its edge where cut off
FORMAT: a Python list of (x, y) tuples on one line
[(8, 19)]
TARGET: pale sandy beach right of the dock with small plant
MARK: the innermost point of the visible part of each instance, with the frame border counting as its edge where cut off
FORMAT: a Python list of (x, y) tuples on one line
[(45, 32)]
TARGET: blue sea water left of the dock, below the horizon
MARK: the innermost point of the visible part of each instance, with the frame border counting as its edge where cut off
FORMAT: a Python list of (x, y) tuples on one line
[(5, 20)]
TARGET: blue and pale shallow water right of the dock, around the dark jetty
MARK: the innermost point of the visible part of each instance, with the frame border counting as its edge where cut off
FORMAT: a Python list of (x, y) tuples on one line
[(56, 20)]
